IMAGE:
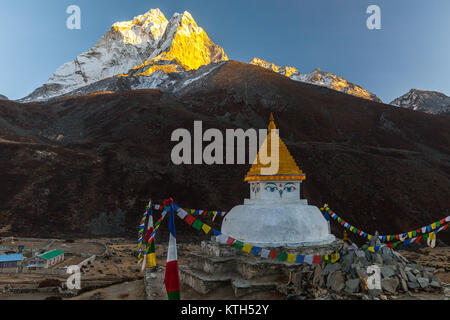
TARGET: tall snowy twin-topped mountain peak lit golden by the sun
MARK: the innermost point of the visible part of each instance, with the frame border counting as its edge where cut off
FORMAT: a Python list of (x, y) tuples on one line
[(137, 48)]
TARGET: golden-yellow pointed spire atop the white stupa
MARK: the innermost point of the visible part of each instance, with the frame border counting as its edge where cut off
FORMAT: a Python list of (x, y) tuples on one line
[(287, 169)]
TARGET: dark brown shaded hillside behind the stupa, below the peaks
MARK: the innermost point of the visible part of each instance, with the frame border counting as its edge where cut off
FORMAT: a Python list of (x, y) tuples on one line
[(86, 165)]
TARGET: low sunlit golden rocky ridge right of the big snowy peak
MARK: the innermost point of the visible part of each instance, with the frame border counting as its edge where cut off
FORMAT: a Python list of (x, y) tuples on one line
[(320, 78)]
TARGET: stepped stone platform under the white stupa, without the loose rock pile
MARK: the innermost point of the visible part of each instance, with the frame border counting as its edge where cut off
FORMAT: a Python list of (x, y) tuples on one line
[(218, 265)]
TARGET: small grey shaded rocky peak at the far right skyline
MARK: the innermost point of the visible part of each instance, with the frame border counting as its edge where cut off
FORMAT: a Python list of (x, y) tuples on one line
[(426, 101)]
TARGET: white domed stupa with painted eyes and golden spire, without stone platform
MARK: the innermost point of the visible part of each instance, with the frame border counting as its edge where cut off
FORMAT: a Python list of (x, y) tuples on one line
[(275, 215)]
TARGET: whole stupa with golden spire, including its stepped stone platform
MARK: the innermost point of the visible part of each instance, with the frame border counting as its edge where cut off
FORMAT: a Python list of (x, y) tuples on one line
[(275, 217)]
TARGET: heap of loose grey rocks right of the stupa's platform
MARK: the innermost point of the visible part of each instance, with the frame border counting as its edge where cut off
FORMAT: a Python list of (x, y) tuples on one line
[(344, 279)]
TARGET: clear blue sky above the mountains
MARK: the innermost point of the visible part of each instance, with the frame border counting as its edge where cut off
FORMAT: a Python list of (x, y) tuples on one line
[(410, 51)]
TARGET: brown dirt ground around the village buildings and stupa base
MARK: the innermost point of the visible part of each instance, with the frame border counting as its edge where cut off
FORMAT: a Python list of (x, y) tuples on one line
[(117, 277)]
